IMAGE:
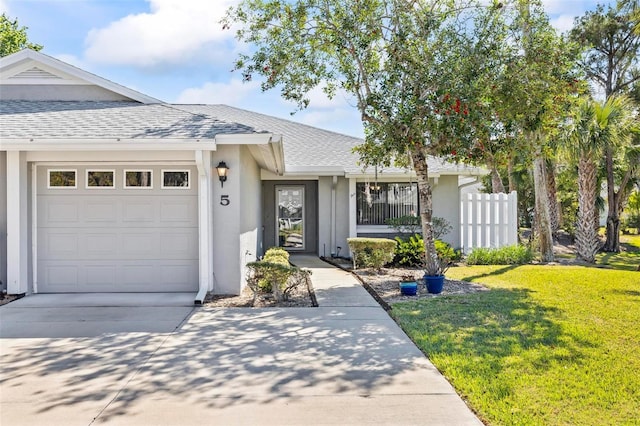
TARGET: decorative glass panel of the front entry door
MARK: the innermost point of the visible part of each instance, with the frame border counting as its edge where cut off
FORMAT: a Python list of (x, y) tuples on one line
[(290, 217)]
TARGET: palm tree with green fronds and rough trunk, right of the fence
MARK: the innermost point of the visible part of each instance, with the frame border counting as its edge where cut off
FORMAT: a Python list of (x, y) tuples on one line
[(594, 127)]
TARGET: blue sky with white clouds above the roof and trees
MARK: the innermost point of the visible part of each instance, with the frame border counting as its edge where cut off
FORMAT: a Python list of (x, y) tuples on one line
[(176, 51)]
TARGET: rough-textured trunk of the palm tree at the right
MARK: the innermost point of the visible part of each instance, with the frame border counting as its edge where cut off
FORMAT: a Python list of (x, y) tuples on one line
[(587, 241)]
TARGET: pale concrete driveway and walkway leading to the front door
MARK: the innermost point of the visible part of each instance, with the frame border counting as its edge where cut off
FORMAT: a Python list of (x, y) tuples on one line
[(344, 363)]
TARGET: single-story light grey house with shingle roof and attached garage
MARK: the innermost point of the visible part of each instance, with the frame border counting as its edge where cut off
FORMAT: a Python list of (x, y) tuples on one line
[(105, 189)]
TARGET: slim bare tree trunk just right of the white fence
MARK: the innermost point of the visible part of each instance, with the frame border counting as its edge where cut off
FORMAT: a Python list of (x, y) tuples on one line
[(542, 222)]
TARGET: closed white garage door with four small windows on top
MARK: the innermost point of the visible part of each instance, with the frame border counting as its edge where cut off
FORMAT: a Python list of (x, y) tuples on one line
[(117, 229)]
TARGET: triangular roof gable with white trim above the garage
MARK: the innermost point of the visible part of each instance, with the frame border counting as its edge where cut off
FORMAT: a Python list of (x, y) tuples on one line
[(31, 75)]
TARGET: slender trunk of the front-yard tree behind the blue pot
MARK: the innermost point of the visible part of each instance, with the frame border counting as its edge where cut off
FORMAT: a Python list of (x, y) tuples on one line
[(419, 157)]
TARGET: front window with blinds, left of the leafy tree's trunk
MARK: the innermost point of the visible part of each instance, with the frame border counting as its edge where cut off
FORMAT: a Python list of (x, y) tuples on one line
[(377, 202)]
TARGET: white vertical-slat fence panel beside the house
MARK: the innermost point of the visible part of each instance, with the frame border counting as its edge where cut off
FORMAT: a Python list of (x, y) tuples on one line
[(488, 220)]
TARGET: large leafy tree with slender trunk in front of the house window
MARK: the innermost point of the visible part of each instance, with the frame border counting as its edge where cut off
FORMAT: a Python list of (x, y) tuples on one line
[(419, 73)]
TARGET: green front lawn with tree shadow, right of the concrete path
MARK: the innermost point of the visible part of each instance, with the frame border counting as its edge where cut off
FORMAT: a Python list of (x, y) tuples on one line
[(547, 345)]
